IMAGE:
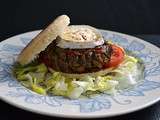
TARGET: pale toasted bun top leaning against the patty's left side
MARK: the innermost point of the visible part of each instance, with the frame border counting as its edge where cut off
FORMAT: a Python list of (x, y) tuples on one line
[(43, 39)]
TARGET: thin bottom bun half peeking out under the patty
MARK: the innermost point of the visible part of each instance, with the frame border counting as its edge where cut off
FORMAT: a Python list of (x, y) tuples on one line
[(93, 74)]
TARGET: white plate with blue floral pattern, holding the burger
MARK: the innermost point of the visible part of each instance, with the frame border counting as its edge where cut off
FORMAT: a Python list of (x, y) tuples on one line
[(103, 105)]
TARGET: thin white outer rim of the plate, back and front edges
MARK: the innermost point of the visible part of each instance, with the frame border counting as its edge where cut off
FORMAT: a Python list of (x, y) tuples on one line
[(137, 108)]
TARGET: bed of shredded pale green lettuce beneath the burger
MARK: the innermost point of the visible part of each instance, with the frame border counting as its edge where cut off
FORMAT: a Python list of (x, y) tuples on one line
[(39, 79)]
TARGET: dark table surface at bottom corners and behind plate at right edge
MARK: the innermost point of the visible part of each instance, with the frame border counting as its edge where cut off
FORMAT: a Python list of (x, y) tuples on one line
[(8, 112)]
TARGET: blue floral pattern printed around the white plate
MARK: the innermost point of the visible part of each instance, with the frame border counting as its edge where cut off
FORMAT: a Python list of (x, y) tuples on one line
[(8, 53)]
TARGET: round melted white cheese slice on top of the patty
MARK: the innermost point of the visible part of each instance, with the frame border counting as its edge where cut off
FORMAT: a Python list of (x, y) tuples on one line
[(80, 36)]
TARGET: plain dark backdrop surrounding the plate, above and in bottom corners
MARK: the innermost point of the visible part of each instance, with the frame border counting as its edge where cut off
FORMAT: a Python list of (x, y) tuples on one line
[(134, 17)]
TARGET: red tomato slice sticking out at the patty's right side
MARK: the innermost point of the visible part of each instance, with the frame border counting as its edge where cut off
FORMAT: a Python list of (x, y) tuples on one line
[(116, 58)]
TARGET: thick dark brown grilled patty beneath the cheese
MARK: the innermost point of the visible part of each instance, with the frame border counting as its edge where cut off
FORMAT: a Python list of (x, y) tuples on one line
[(76, 60)]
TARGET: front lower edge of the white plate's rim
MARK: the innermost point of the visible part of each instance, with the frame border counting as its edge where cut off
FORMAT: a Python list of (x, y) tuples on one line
[(79, 116)]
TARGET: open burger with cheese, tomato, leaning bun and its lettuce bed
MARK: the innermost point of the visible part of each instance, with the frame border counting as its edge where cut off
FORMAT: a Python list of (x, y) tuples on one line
[(74, 61)]
